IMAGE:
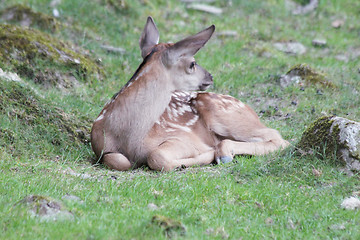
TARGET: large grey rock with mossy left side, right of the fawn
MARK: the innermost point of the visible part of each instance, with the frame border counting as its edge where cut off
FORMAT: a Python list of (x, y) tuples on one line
[(333, 135)]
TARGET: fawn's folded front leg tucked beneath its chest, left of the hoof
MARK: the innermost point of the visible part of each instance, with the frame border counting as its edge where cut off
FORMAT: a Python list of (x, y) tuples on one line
[(174, 153)]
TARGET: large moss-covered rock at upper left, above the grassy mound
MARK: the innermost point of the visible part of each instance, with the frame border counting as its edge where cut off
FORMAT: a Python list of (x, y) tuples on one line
[(42, 58)]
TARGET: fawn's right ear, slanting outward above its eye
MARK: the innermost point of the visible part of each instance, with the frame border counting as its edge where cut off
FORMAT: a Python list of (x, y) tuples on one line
[(187, 47)]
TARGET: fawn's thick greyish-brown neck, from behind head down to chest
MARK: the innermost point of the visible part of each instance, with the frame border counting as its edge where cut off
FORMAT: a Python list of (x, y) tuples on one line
[(138, 106)]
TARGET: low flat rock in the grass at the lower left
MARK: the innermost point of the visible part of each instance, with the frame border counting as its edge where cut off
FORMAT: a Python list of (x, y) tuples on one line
[(46, 208)]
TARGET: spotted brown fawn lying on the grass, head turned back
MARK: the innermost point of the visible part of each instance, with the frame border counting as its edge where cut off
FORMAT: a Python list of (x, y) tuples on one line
[(153, 120)]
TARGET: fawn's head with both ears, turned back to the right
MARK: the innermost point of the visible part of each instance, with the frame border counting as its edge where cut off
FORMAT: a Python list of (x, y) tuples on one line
[(178, 58)]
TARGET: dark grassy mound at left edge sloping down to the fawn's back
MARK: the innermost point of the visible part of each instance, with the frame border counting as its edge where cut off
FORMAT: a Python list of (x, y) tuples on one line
[(29, 123)]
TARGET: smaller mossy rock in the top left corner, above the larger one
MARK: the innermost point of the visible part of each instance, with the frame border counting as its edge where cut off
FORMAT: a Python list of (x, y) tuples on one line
[(26, 17)]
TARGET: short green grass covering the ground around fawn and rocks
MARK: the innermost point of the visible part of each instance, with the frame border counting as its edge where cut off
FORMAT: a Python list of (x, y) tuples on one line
[(276, 196)]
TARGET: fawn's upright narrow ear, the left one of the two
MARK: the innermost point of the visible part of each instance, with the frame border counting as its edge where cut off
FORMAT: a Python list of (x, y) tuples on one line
[(149, 37)]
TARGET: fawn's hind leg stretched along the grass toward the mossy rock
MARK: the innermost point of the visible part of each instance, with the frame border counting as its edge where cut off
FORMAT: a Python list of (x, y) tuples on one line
[(266, 140)]
